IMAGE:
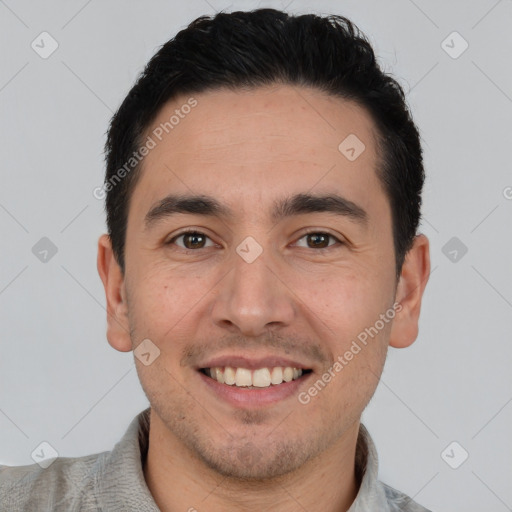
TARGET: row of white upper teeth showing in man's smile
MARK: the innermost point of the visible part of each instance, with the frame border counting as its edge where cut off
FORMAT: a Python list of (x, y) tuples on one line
[(260, 378)]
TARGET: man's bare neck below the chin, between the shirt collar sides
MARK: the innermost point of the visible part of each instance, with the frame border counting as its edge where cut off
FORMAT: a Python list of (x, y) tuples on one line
[(179, 481)]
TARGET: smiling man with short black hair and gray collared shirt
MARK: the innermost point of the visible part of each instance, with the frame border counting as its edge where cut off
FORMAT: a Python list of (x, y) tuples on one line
[(263, 192)]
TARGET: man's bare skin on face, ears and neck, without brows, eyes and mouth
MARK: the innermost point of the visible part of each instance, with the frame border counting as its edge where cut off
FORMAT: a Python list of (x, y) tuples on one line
[(248, 149)]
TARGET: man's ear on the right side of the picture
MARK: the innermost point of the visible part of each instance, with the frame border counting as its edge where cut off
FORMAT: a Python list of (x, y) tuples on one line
[(411, 285)]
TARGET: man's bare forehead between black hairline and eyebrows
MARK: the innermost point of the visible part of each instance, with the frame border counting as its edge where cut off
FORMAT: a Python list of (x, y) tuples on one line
[(246, 147)]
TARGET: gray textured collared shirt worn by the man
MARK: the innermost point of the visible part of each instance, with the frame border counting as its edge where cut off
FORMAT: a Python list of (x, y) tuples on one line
[(114, 481)]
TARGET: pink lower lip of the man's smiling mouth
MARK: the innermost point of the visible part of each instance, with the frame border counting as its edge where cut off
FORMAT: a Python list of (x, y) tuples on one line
[(253, 397)]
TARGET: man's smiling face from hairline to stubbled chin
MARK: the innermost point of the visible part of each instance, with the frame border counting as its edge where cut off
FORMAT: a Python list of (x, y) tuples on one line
[(268, 279)]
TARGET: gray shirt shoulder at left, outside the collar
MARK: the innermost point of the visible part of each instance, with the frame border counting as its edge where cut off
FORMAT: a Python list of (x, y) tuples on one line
[(67, 484)]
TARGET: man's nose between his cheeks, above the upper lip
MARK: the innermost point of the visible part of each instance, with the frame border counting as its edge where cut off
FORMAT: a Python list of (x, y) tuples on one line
[(253, 297)]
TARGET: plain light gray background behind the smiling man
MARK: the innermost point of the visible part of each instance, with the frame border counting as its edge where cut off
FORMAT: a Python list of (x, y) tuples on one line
[(62, 383)]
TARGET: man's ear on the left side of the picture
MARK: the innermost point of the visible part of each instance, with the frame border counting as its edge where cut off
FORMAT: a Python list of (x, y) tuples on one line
[(118, 328)]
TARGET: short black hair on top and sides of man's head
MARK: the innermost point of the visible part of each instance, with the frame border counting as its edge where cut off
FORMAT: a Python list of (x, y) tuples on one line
[(266, 47)]
